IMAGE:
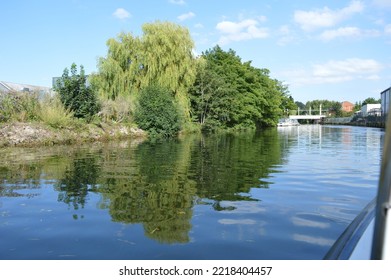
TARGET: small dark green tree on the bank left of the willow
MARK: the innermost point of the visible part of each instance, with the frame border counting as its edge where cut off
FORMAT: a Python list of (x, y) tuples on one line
[(76, 95)]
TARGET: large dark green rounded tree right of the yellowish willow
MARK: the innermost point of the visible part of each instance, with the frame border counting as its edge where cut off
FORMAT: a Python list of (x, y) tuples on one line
[(228, 93)]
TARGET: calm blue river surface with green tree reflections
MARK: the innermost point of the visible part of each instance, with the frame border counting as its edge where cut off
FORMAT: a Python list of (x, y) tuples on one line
[(277, 194)]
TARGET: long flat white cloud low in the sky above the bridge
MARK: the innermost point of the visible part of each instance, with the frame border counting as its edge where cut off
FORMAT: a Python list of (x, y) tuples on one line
[(335, 71)]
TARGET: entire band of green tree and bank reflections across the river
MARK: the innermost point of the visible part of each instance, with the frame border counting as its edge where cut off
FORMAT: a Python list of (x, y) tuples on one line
[(157, 185)]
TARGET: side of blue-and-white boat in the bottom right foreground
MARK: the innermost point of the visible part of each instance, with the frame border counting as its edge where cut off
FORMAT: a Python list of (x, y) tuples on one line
[(369, 235)]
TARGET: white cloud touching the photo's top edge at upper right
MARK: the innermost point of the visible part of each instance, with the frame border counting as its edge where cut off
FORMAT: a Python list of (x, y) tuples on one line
[(321, 18)]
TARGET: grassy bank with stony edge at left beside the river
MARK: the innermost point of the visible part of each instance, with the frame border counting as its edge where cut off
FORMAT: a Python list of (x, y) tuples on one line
[(26, 120)]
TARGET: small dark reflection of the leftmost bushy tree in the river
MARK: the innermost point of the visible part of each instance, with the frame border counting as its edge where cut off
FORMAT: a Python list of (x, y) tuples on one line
[(79, 179)]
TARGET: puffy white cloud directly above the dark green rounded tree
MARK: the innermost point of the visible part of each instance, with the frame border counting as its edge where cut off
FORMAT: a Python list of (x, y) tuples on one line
[(246, 29)]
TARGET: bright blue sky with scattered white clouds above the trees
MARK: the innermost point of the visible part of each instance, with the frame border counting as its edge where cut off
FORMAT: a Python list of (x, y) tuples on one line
[(336, 50)]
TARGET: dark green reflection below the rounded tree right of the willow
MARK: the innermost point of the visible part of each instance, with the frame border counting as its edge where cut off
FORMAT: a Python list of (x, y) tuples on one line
[(227, 166)]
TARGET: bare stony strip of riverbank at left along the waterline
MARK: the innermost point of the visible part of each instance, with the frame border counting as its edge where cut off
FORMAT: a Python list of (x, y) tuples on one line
[(28, 134)]
